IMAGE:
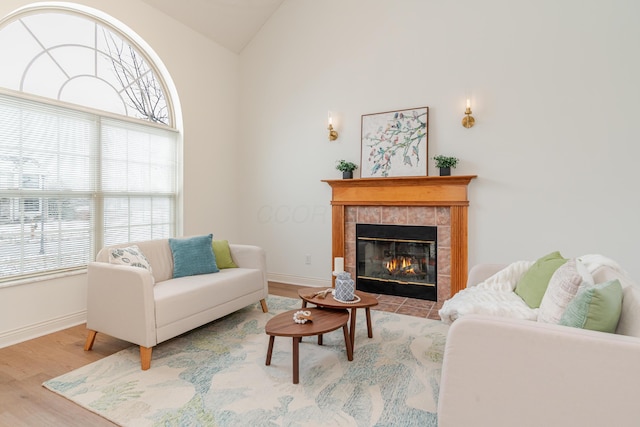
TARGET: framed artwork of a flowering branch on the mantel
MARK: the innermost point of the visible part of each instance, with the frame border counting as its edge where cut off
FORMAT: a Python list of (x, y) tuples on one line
[(395, 143)]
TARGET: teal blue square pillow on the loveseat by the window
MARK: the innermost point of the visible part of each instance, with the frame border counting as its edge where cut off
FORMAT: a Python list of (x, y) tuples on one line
[(193, 255)]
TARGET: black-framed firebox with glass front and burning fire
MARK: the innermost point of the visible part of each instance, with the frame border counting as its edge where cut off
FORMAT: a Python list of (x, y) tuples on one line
[(397, 260)]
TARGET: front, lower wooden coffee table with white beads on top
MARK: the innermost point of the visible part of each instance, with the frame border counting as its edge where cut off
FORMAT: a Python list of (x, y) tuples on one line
[(324, 320)]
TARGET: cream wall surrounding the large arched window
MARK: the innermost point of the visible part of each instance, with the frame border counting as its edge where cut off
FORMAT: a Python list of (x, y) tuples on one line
[(206, 78)]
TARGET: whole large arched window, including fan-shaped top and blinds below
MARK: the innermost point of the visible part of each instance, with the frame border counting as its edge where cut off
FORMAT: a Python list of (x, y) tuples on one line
[(88, 145)]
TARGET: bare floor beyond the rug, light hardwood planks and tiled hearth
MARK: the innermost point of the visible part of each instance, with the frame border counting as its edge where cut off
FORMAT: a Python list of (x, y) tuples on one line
[(25, 366)]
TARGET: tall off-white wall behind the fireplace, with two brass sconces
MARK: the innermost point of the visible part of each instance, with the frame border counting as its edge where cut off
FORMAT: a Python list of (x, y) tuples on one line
[(554, 89)]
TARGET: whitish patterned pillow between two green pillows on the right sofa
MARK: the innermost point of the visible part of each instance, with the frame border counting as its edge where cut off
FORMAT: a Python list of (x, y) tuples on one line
[(563, 287)]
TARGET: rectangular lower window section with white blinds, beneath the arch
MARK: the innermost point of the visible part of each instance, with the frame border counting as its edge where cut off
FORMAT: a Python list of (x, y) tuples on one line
[(71, 182)]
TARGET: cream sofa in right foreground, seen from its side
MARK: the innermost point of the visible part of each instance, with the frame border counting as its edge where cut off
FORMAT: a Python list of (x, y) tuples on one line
[(505, 372)]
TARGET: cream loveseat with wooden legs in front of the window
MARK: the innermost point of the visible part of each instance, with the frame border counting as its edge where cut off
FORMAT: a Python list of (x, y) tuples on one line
[(147, 308)]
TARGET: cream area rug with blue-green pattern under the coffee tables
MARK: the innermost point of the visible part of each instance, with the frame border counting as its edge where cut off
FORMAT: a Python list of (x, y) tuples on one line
[(216, 376)]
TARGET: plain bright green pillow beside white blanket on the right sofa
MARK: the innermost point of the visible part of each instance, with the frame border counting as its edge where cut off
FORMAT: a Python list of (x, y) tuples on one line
[(533, 284)]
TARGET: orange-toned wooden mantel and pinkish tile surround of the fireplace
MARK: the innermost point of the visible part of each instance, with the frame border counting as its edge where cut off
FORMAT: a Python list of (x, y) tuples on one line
[(432, 201)]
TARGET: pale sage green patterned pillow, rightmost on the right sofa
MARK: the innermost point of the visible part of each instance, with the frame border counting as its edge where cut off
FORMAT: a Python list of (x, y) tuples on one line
[(596, 307)]
